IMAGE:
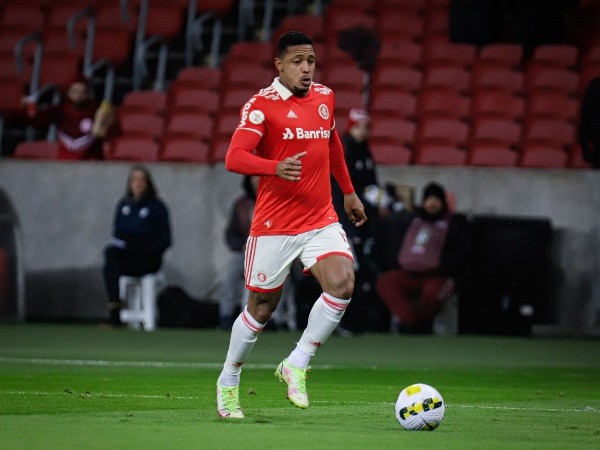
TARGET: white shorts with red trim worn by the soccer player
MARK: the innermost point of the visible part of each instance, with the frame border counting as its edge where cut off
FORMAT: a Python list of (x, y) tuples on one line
[(268, 258)]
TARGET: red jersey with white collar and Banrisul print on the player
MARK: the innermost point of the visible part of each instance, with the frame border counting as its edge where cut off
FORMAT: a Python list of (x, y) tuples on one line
[(283, 125)]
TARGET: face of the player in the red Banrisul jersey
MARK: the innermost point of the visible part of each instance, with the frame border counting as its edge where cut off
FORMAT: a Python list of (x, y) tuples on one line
[(297, 68)]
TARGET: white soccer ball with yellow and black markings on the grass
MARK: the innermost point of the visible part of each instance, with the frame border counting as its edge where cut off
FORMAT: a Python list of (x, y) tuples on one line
[(420, 407)]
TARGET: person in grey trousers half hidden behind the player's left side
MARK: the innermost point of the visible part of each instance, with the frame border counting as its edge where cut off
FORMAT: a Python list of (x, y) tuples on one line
[(232, 291)]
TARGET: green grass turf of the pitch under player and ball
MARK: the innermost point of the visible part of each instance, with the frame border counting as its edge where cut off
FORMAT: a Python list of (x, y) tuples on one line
[(86, 387)]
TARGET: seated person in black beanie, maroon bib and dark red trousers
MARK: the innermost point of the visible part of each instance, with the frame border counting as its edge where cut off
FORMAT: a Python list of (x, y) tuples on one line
[(425, 250)]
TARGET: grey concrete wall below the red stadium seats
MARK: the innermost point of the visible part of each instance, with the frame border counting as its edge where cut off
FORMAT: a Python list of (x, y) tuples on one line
[(65, 213)]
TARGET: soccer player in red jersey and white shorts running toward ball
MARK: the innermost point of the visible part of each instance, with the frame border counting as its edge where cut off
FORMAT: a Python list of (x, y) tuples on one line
[(287, 136)]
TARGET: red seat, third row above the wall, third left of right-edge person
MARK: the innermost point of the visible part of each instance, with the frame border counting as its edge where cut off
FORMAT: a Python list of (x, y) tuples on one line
[(443, 102)]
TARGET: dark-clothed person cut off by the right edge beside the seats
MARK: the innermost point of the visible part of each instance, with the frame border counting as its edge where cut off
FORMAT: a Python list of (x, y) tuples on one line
[(589, 123)]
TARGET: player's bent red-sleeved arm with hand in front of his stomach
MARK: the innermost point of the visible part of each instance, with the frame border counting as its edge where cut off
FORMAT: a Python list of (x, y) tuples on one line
[(240, 159)]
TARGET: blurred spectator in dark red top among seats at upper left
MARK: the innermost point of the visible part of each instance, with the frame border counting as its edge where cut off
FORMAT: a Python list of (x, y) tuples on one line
[(81, 123)]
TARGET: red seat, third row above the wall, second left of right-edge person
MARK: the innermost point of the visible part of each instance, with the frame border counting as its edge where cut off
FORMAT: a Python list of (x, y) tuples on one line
[(497, 103)]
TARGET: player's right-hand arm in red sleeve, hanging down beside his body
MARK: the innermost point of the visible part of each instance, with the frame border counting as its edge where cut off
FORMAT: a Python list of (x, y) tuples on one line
[(352, 204)]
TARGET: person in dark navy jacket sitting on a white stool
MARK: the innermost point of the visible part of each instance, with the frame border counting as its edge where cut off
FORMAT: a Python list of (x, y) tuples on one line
[(141, 234)]
